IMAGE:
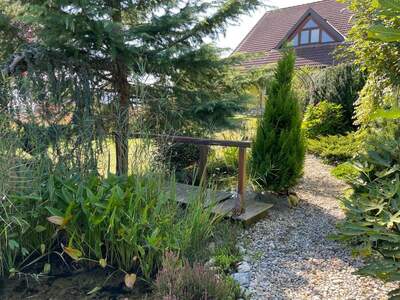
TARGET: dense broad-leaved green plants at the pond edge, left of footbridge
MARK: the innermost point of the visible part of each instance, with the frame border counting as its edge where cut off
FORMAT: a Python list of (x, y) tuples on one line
[(123, 222)]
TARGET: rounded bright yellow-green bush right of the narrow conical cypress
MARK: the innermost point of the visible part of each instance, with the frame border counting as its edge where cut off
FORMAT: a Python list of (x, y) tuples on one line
[(324, 118)]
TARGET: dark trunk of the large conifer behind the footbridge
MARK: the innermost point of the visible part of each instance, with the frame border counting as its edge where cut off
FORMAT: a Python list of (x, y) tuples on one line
[(121, 87)]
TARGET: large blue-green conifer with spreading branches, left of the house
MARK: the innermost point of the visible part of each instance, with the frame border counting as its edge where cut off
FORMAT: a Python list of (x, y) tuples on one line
[(132, 54)]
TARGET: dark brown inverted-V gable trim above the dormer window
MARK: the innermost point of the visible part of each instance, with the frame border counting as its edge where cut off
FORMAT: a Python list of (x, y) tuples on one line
[(312, 15)]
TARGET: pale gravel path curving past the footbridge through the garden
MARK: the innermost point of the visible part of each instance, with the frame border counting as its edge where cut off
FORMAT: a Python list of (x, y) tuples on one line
[(290, 255)]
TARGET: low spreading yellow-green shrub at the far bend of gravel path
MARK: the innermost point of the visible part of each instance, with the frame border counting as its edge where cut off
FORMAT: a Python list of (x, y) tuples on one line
[(335, 149)]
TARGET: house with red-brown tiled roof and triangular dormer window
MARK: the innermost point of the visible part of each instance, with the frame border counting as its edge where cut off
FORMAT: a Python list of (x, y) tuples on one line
[(314, 30)]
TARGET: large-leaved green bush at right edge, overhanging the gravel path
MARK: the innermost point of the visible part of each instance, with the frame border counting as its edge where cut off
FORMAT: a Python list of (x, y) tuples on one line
[(372, 224)]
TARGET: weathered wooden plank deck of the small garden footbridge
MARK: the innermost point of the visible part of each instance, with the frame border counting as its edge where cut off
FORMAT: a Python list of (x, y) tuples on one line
[(225, 202)]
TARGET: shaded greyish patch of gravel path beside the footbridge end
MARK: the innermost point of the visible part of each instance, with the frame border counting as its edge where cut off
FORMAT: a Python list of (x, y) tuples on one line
[(292, 242)]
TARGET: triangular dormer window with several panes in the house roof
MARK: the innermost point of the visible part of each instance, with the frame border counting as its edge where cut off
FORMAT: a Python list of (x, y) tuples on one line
[(310, 33)]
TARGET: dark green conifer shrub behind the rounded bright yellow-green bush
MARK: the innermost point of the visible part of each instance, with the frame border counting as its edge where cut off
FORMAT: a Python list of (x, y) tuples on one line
[(338, 84)]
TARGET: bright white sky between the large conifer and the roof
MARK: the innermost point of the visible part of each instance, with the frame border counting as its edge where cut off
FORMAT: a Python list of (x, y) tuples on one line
[(235, 33)]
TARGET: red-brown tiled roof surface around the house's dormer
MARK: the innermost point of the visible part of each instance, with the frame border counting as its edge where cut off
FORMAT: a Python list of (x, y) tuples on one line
[(275, 25)]
